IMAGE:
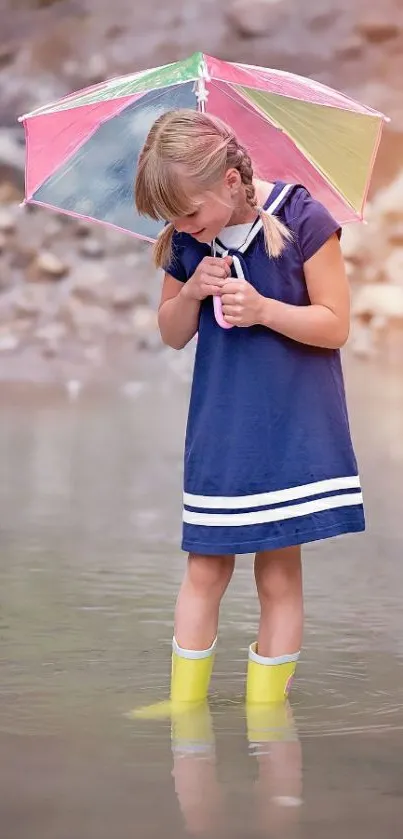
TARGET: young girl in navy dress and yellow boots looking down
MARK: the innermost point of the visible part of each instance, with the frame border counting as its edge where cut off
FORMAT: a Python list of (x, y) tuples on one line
[(269, 463)]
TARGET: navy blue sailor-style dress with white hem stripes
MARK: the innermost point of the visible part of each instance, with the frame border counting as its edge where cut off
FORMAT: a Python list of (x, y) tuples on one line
[(269, 460)]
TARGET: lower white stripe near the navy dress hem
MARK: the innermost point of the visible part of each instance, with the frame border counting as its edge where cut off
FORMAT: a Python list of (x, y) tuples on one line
[(275, 514)]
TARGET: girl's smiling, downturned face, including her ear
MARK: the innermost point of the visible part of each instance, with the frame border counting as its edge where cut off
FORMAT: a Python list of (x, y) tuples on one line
[(214, 209)]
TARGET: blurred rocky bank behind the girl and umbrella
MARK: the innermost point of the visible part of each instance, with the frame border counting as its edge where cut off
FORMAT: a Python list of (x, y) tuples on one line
[(78, 302)]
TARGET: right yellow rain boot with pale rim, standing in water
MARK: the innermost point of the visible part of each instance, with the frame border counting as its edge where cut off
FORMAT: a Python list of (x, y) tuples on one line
[(269, 679)]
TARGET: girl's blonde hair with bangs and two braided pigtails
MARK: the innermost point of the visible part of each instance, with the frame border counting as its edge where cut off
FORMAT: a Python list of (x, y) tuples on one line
[(204, 147)]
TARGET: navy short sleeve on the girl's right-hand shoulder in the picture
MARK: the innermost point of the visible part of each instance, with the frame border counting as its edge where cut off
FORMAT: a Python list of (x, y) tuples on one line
[(312, 223)]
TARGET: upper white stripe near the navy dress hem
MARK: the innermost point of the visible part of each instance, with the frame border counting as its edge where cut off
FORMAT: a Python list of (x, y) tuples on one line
[(263, 499)]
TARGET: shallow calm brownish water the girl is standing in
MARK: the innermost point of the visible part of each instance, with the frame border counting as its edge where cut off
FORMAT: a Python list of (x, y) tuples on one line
[(90, 495)]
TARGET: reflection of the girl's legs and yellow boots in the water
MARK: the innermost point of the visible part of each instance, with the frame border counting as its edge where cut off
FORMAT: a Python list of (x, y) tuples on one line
[(274, 746)]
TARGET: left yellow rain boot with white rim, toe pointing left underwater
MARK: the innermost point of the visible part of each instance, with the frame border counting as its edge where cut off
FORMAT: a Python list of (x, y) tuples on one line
[(190, 679)]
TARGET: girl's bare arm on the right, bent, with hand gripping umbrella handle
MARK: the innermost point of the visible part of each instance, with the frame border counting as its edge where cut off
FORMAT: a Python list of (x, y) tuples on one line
[(324, 323)]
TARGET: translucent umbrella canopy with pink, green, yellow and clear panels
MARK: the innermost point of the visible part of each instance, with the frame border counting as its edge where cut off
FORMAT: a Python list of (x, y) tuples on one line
[(82, 150)]
